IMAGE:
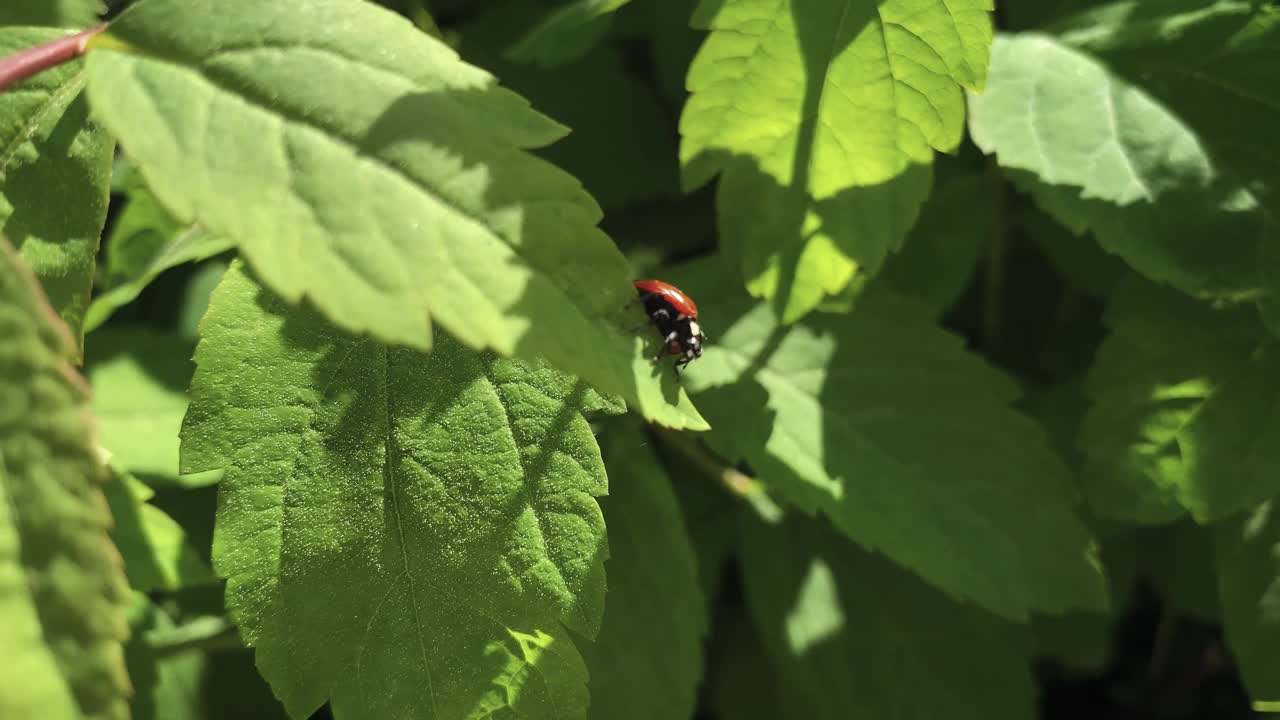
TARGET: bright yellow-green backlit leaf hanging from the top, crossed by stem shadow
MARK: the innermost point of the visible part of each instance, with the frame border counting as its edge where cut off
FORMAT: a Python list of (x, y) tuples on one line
[(824, 120)]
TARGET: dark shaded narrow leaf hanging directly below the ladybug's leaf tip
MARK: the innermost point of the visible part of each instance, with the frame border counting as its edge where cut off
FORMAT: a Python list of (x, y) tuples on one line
[(648, 659)]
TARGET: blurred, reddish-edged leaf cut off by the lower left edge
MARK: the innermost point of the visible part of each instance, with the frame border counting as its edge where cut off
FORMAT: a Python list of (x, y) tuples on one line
[(62, 587)]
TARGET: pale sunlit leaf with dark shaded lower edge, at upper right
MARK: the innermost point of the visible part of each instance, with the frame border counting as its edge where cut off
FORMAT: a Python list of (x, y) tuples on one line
[(1103, 154)]
